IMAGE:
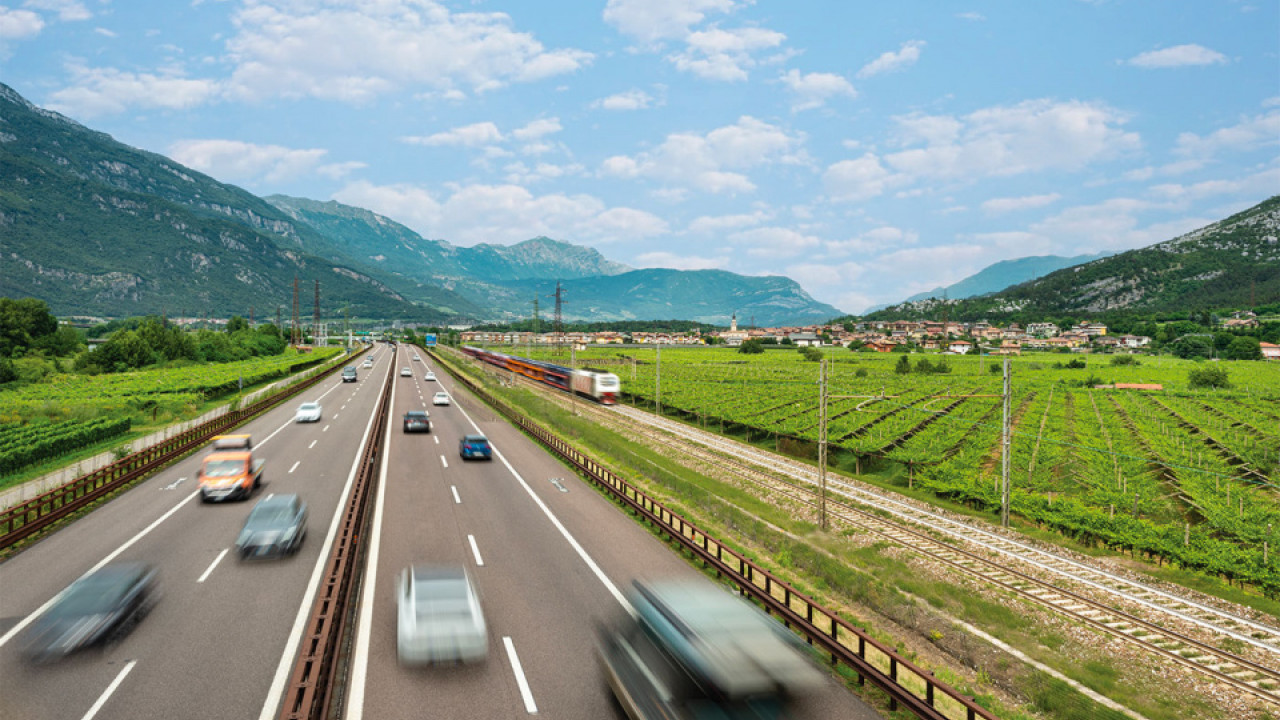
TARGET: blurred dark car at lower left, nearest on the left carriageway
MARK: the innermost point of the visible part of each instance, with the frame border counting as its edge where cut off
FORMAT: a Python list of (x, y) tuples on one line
[(95, 609)]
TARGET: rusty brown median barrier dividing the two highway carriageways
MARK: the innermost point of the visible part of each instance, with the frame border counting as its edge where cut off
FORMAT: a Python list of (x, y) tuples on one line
[(313, 682)]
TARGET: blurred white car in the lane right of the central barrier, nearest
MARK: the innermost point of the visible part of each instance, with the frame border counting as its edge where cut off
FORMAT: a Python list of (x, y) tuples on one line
[(440, 617)]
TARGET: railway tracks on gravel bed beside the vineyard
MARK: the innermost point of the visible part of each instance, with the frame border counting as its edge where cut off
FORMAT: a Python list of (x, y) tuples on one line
[(769, 470)]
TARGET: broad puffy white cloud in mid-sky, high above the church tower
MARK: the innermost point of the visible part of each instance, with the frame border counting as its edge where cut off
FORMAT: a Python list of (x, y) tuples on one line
[(712, 162)]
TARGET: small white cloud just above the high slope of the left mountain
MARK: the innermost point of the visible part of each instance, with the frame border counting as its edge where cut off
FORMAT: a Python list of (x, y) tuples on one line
[(99, 92)]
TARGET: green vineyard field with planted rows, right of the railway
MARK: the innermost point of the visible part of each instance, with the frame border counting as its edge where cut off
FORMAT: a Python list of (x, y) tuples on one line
[(1177, 475)]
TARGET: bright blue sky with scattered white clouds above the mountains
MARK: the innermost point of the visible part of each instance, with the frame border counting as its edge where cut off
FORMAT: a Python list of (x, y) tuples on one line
[(868, 151)]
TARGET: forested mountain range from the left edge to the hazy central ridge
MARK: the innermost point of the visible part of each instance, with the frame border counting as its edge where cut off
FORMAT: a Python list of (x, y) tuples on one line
[(95, 227)]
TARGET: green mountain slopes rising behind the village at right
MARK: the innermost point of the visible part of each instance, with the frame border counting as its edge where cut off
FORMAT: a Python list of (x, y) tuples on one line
[(1233, 263)]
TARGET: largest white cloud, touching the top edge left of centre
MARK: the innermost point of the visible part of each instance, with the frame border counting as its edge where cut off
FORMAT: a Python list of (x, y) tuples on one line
[(333, 51)]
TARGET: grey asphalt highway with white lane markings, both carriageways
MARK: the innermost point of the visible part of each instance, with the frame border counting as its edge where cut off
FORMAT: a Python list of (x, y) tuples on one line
[(552, 560)]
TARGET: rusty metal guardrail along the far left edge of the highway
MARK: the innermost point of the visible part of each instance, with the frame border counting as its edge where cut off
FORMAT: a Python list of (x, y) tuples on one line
[(22, 521)]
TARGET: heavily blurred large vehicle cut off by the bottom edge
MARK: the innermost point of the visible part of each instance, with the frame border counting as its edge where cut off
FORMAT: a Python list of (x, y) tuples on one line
[(696, 651)]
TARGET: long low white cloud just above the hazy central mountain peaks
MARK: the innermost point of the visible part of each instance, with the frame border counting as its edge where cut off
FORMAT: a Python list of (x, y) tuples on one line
[(504, 215)]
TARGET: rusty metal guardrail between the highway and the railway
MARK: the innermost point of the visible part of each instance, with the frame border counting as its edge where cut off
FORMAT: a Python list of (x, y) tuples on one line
[(906, 683)]
